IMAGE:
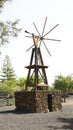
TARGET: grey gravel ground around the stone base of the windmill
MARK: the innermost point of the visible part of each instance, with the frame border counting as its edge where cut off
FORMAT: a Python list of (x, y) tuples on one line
[(61, 120)]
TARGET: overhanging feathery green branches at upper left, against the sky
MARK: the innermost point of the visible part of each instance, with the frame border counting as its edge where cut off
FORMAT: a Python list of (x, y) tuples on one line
[(8, 28)]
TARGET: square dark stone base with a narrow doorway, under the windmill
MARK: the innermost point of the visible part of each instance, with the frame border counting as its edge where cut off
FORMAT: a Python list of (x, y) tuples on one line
[(38, 101)]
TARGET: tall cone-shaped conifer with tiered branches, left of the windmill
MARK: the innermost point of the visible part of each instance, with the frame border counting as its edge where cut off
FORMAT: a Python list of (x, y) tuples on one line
[(7, 71)]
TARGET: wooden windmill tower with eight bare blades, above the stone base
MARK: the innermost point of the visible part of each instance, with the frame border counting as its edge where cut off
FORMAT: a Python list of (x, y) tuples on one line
[(38, 65)]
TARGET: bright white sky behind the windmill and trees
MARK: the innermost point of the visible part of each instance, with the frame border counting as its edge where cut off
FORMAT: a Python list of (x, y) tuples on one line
[(58, 12)]
